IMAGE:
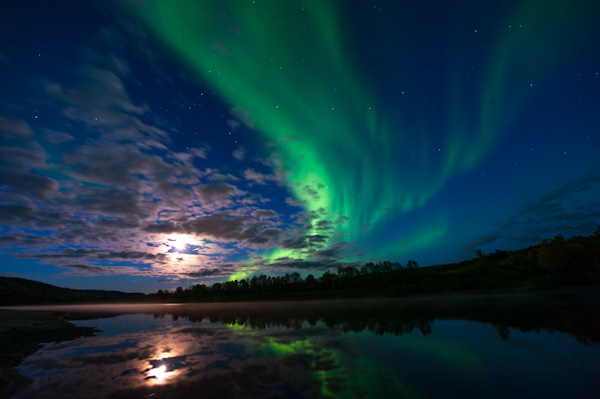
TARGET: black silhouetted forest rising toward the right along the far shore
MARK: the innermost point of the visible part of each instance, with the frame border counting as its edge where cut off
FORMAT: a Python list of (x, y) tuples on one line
[(551, 263)]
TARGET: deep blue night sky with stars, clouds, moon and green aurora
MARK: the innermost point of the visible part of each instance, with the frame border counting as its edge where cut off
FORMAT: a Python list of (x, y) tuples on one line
[(154, 144)]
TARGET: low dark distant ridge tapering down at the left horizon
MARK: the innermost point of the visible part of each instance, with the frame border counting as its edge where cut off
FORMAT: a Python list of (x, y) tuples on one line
[(20, 291)]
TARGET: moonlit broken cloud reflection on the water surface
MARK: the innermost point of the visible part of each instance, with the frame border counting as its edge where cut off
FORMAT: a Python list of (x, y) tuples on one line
[(214, 360)]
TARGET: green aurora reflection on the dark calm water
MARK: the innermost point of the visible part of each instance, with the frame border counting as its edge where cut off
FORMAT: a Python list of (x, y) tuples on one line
[(364, 374)]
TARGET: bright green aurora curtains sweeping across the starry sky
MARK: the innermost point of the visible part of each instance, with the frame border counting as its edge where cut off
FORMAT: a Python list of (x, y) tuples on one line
[(343, 149)]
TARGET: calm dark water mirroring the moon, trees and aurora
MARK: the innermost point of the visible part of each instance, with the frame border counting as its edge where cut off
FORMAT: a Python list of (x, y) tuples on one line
[(488, 346)]
